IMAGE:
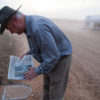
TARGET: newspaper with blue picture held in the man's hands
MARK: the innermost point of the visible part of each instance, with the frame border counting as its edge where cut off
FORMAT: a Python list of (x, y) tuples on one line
[(17, 67)]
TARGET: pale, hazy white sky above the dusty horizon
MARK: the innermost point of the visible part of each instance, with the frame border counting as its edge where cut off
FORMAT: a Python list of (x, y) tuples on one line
[(68, 9)]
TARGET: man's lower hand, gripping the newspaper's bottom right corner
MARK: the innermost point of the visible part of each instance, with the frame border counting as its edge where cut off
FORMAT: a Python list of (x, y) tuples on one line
[(30, 74)]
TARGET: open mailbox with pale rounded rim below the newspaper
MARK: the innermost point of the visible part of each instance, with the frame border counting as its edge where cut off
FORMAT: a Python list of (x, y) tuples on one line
[(16, 92)]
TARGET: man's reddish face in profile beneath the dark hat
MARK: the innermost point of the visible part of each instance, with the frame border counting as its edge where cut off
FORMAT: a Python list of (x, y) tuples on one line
[(15, 25)]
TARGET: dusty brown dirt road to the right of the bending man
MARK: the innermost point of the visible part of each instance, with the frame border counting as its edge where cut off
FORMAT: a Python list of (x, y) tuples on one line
[(84, 81)]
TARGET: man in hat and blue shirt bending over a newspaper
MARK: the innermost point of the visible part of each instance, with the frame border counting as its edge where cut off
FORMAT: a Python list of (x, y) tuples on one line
[(48, 45)]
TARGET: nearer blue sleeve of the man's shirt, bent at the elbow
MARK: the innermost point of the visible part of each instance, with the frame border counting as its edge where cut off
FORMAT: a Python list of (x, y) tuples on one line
[(49, 51)]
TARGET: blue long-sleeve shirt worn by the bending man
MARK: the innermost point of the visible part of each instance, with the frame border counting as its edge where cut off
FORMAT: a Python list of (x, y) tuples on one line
[(46, 41)]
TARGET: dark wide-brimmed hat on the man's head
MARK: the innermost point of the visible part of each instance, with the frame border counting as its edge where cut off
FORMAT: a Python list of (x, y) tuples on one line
[(5, 15)]
